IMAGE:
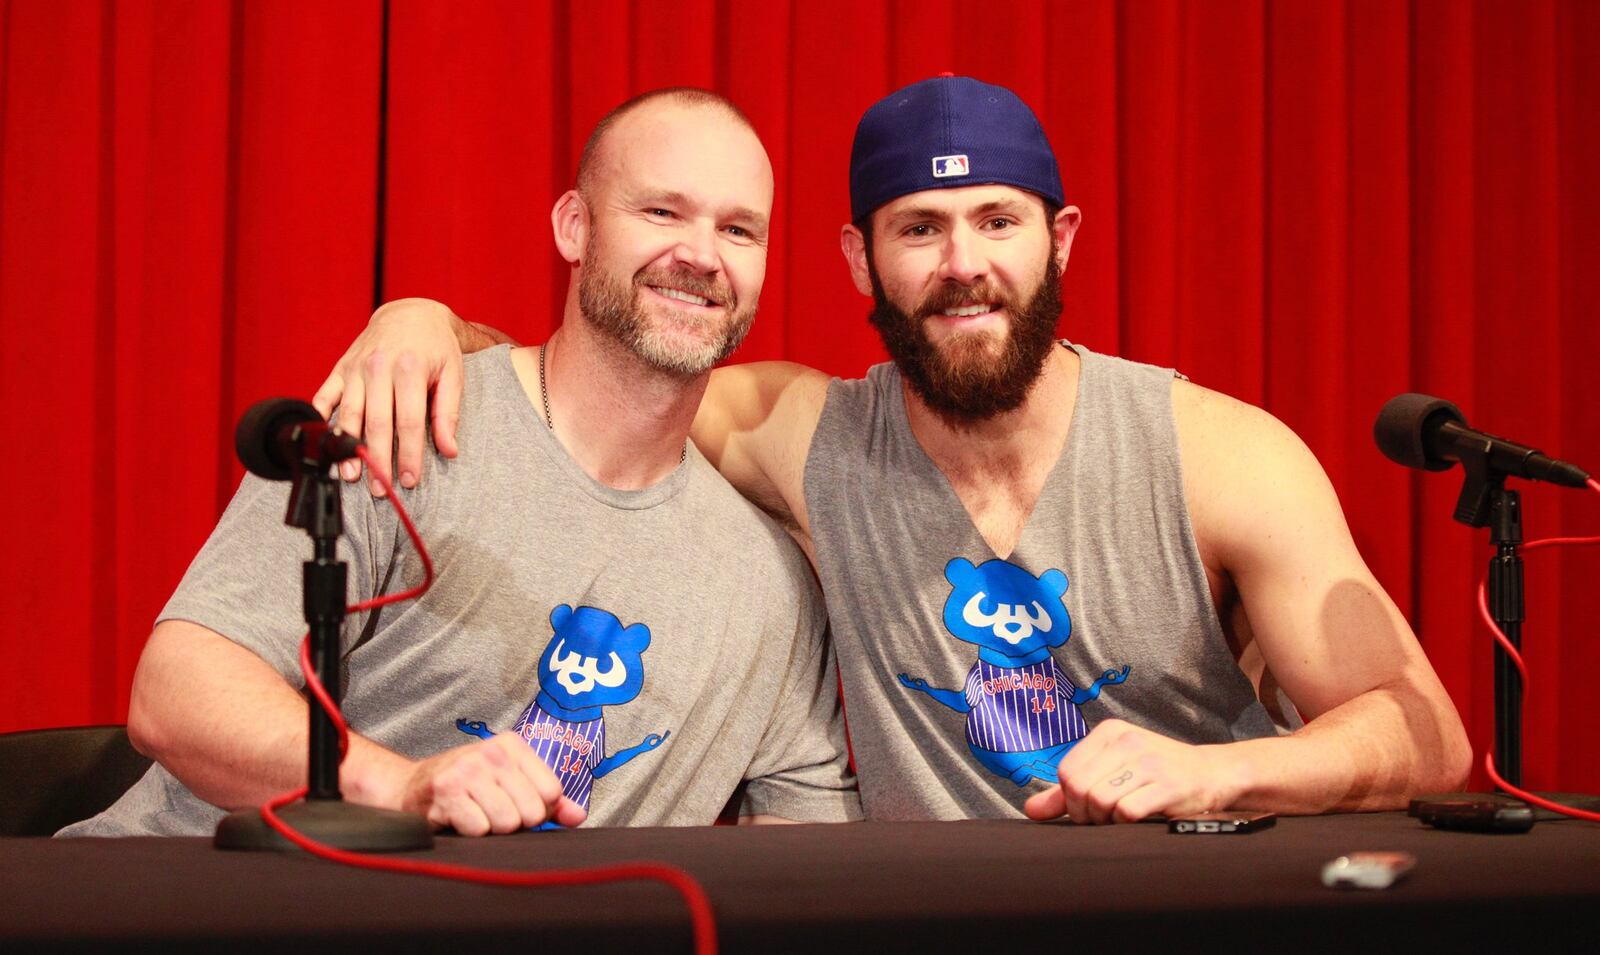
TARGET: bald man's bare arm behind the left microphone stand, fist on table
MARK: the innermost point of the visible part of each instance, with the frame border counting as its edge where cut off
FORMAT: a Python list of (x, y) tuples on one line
[(231, 730)]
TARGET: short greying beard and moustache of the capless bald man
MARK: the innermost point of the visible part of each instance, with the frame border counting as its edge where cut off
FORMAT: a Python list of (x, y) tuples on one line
[(614, 308)]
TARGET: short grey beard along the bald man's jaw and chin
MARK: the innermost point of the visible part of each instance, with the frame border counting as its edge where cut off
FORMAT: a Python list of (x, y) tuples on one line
[(615, 310)]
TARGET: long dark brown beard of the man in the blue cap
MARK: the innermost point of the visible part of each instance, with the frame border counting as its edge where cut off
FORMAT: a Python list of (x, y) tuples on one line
[(964, 382)]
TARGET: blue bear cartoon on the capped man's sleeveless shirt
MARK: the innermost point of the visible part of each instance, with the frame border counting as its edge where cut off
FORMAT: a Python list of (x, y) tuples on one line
[(1022, 711)]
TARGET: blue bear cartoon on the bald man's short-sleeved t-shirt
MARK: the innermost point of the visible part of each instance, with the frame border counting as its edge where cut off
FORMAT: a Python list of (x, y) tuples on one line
[(591, 663)]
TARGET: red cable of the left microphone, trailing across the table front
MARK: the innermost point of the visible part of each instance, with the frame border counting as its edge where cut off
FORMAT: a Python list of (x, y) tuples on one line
[(694, 895)]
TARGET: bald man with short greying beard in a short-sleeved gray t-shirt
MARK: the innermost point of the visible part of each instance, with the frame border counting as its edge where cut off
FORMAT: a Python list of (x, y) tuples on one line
[(615, 636)]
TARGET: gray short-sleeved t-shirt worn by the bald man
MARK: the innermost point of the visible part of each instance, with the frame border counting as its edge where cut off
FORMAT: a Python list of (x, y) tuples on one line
[(660, 649)]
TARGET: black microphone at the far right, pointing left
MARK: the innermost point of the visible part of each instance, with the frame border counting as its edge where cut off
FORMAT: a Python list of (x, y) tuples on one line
[(1431, 434)]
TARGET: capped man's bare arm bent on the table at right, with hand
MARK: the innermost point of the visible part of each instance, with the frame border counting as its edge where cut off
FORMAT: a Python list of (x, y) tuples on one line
[(1380, 725)]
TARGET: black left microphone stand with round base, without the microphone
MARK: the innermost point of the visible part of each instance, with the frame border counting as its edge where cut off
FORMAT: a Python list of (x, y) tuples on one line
[(324, 815)]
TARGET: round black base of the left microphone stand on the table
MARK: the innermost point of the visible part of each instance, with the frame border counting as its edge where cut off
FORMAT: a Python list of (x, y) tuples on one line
[(335, 823)]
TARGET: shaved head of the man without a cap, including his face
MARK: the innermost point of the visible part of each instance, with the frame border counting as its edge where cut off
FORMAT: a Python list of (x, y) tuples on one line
[(678, 194)]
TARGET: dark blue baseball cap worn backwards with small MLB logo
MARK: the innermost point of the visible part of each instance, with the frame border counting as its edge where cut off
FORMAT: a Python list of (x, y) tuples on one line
[(943, 134)]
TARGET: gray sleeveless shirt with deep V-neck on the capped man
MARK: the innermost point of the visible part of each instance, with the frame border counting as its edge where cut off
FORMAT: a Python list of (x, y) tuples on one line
[(969, 677)]
